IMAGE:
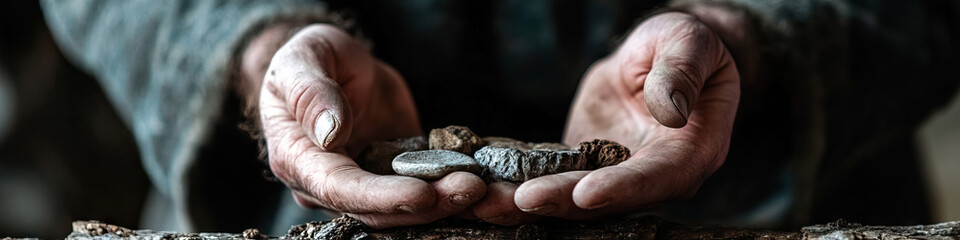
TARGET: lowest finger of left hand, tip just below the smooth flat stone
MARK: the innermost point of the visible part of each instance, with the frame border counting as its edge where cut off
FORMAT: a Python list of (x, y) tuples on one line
[(455, 192)]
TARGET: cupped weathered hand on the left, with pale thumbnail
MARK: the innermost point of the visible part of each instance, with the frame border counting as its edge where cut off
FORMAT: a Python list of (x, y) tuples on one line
[(322, 99)]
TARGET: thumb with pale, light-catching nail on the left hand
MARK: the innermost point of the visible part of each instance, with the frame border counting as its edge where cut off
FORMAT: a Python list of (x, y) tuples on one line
[(311, 73)]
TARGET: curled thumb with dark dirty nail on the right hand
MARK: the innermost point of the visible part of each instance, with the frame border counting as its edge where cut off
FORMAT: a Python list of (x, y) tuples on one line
[(683, 53)]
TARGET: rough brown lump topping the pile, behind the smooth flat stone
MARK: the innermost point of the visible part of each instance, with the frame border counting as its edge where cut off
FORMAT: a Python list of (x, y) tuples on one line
[(455, 138)]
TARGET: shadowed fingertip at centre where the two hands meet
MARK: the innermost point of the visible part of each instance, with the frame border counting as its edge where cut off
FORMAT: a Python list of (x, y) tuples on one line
[(498, 206)]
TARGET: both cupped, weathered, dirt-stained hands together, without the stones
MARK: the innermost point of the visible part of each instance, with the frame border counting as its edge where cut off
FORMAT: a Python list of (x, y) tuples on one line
[(669, 93)]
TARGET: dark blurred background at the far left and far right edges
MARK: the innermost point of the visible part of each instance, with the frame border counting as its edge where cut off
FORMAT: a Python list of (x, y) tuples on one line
[(60, 137)]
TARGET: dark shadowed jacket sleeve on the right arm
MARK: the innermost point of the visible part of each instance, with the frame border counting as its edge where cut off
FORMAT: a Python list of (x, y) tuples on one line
[(843, 87)]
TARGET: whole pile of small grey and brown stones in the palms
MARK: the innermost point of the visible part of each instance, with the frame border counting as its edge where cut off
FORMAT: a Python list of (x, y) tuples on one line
[(456, 148)]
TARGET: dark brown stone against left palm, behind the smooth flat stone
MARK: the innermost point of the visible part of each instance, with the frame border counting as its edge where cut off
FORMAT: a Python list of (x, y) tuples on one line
[(378, 156)]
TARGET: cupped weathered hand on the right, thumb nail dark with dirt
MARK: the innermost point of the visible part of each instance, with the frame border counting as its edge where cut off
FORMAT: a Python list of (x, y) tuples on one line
[(669, 93)]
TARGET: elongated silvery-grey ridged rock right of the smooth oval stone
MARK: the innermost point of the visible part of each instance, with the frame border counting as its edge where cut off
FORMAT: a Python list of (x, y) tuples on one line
[(518, 165)]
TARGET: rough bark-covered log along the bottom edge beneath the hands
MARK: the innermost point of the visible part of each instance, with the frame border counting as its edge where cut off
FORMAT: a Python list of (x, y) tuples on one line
[(618, 228)]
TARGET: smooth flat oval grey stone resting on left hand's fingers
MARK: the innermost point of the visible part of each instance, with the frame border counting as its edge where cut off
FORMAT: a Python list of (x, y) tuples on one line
[(434, 164)]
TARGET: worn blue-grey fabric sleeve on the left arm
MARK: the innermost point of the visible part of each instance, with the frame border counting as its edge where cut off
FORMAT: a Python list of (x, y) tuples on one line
[(164, 64)]
